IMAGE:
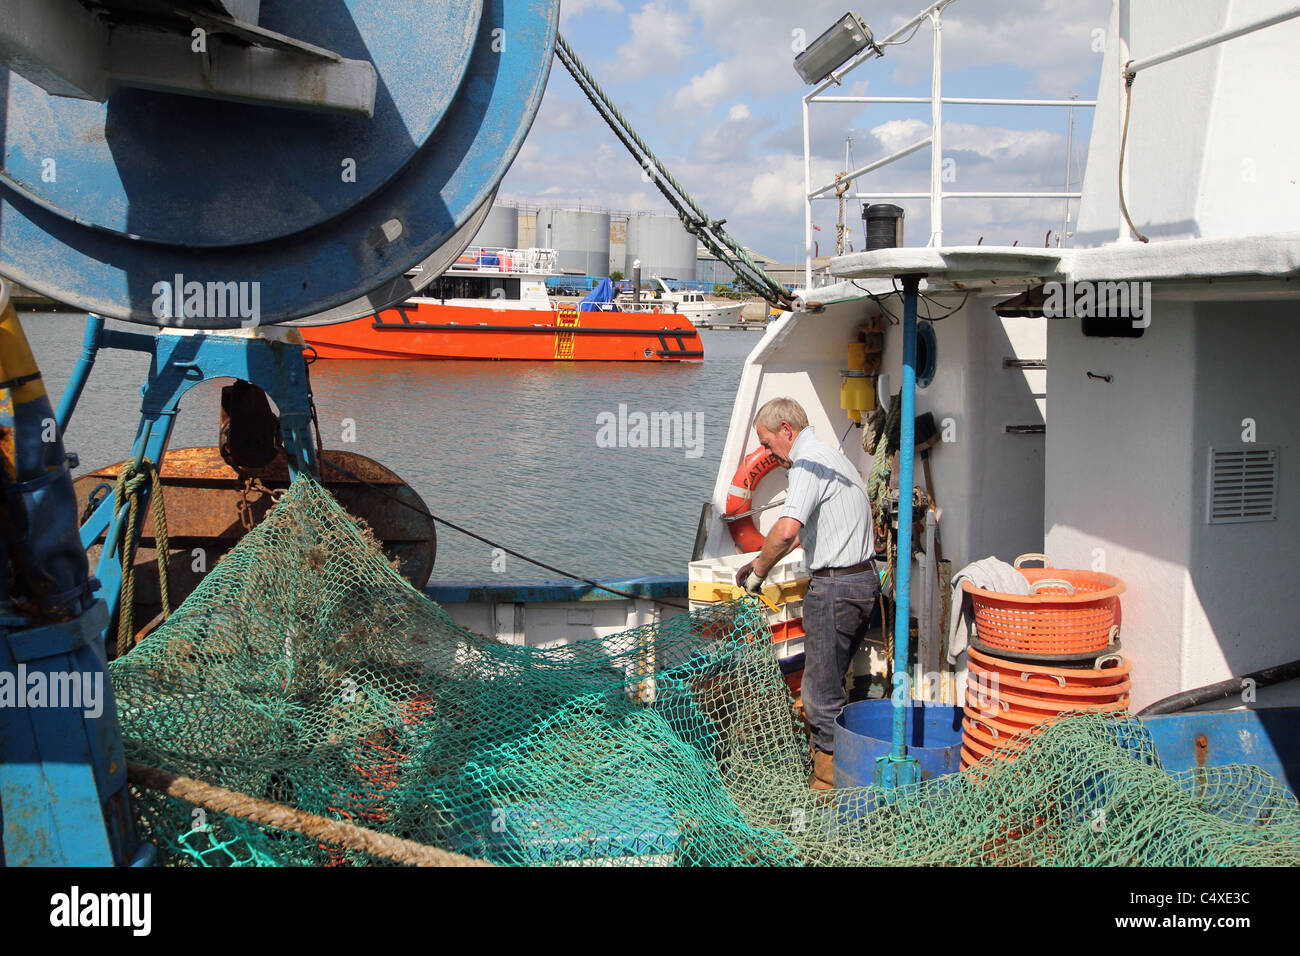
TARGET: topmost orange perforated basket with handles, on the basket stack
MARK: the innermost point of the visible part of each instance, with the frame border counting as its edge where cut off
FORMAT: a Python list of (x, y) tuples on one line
[(1069, 615)]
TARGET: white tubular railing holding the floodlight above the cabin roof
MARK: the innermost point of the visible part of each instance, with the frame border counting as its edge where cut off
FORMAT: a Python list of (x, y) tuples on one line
[(937, 101)]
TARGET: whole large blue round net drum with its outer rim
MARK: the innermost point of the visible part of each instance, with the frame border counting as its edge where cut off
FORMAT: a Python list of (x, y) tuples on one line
[(306, 213)]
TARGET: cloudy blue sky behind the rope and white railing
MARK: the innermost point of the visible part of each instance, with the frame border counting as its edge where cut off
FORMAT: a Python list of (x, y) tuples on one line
[(710, 86)]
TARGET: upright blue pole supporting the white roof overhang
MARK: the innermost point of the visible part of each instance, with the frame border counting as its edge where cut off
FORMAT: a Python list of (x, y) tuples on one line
[(899, 769)]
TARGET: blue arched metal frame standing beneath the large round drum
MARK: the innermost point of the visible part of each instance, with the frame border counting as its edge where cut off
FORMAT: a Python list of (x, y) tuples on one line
[(180, 364)]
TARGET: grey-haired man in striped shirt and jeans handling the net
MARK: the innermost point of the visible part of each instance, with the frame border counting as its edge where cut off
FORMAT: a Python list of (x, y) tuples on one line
[(829, 513)]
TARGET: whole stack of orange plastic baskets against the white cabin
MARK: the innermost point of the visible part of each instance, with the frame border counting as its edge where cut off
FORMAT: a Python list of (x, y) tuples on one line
[(1039, 656)]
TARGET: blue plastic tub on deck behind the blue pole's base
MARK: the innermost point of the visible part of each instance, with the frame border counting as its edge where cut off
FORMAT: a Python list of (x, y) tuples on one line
[(865, 732)]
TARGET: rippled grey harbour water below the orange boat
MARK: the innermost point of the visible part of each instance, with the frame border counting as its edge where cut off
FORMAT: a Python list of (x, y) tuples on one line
[(552, 460)]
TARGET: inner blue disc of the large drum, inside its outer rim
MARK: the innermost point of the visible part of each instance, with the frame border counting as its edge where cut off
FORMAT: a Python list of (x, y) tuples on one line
[(202, 172)]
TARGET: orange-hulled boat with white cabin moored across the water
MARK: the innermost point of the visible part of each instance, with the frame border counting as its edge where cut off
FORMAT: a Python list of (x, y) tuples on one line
[(493, 305)]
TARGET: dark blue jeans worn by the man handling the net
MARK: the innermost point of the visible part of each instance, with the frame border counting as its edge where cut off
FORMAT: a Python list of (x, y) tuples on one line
[(837, 612)]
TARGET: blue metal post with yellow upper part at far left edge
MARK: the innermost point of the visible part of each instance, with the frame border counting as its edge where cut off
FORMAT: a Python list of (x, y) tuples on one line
[(64, 798)]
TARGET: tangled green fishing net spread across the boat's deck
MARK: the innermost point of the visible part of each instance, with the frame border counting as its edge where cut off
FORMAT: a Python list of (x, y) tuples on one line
[(306, 672)]
